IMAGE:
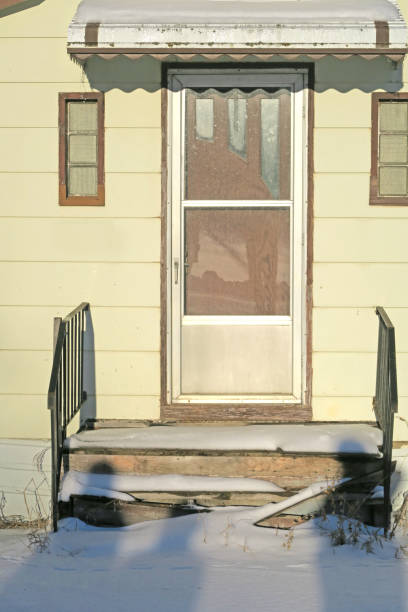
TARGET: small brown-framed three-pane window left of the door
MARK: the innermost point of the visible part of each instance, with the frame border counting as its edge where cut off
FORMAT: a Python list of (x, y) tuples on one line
[(81, 149)]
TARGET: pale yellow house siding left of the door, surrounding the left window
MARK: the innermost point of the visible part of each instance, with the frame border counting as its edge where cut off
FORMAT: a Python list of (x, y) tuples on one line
[(52, 257)]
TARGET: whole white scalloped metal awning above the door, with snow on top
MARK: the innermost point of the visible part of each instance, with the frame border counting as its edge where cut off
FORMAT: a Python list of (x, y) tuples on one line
[(237, 28)]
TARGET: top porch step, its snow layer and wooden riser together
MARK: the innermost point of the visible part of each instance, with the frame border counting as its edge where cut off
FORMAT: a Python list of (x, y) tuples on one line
[(290, 456)]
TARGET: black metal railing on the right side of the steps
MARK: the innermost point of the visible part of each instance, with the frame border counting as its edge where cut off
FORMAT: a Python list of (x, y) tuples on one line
[(385, 402)]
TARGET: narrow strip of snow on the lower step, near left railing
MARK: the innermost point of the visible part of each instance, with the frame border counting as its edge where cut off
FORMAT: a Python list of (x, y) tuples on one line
[(116, 486)]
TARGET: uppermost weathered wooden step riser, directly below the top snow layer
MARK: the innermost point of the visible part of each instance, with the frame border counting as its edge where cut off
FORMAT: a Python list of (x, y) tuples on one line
[(286, 471)]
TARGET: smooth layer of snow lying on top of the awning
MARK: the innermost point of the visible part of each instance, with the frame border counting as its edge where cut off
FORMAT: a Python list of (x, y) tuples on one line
[(126, 12)]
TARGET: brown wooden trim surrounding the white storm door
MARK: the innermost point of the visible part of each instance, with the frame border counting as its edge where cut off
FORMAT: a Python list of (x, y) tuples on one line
[(233, 412)]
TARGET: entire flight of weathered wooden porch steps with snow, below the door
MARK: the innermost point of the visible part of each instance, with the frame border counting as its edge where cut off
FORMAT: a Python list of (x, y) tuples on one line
[(269, 457)]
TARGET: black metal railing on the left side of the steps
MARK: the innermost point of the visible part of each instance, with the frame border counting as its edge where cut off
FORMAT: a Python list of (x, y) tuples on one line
[(66, 390)]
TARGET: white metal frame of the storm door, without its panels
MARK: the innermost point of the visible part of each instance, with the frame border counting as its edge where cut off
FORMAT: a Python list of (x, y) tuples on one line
[(296, 80)]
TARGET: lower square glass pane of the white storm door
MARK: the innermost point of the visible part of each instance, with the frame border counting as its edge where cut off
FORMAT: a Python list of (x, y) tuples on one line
[(237, 261)]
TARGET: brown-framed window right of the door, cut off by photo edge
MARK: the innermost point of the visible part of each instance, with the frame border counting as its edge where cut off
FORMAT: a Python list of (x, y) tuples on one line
[(389, 159)]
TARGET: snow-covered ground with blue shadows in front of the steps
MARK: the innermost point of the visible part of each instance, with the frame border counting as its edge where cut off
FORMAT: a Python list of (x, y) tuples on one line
[(201, 563)]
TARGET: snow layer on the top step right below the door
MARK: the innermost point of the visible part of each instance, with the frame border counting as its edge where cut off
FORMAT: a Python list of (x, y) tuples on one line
[(354, 438)]
